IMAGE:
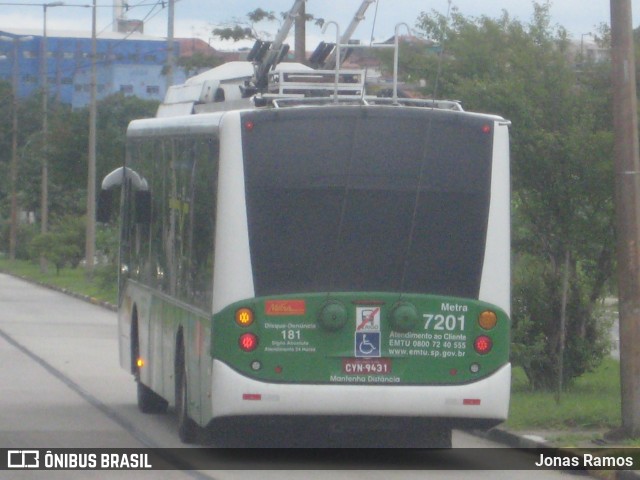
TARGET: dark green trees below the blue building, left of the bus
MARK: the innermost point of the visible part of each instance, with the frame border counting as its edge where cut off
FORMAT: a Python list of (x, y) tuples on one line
[(67, 151)]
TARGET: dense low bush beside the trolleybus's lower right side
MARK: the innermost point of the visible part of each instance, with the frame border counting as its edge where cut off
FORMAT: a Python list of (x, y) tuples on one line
[(536, 340)]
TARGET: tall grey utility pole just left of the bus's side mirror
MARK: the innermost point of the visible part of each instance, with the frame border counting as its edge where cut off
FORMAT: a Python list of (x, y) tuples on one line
[(90, 245)]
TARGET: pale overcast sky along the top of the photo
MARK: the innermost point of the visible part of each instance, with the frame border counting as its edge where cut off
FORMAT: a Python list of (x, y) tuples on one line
[(199, 17)]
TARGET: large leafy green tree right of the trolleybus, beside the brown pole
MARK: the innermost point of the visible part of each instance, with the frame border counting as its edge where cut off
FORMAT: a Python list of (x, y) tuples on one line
[(562, 176)]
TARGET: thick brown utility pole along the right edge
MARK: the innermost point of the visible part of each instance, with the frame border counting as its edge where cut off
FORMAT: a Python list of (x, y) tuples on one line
[(627, 197)]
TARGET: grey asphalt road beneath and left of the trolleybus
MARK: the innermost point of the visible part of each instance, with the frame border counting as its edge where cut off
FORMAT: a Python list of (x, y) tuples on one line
[(61, 387)]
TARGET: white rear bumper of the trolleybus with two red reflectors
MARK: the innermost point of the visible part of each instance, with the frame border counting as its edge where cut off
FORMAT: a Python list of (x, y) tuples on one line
[(234, 395)]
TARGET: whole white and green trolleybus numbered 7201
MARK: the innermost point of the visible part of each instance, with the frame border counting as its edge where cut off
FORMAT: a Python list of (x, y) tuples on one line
[(338, 260)]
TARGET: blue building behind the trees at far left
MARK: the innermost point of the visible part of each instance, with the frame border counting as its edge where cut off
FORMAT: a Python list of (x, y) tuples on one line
[(126, 62)]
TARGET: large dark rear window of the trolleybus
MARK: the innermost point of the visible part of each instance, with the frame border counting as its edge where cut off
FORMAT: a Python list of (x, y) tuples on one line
[(343, 211)]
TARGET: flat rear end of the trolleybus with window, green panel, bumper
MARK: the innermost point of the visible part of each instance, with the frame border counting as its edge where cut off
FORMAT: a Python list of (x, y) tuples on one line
[(362, 265)]
